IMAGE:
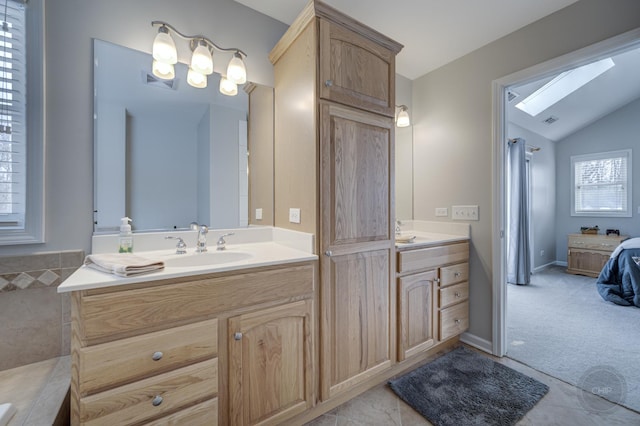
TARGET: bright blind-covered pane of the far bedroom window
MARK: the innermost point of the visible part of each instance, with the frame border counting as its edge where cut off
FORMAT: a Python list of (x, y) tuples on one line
[(601, 185)]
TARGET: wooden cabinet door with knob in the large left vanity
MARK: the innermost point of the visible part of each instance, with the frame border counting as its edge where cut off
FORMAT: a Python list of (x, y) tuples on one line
[(271, 364)]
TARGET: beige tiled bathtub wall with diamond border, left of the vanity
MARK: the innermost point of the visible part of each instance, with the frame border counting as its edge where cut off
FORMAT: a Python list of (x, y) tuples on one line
[(35, 320)]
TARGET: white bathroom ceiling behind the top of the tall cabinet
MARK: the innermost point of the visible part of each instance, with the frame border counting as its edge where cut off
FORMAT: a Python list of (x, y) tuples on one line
[(433, 32)]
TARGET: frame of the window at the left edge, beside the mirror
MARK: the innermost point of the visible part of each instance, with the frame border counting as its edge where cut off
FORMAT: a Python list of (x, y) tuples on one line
[(33, 232)]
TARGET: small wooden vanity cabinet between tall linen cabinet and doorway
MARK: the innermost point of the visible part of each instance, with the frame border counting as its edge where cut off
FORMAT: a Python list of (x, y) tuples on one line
[(433, 286)]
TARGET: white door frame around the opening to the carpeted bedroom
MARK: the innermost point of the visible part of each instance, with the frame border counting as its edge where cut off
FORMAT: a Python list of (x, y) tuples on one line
[(605, 48)]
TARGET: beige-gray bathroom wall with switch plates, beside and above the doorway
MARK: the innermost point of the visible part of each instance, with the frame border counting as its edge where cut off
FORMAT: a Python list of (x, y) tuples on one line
[(452, 129)]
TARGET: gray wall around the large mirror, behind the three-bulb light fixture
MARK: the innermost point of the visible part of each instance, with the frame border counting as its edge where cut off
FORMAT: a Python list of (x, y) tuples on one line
[(70, 27)]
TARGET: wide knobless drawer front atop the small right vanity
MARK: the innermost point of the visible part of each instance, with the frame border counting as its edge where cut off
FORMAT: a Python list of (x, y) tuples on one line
[(430, 257)]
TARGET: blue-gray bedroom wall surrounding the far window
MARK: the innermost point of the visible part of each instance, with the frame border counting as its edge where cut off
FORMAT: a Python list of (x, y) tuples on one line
[(618, 130)]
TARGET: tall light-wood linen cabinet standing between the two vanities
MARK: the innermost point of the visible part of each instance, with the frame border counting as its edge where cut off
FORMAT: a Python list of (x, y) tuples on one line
[(333, 160)]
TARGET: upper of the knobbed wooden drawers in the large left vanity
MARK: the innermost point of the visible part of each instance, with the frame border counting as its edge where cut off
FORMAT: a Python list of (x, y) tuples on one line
[(123, 361)]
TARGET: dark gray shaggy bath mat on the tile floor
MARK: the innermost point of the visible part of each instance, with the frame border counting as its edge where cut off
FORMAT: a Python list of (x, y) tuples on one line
[(463, 388)]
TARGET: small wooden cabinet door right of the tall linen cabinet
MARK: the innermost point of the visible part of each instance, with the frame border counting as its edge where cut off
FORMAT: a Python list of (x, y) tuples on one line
[(416, 313)]
